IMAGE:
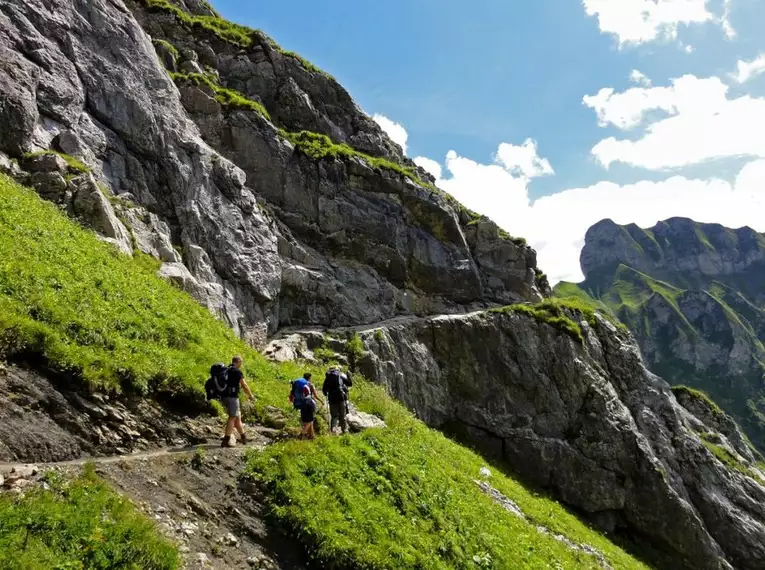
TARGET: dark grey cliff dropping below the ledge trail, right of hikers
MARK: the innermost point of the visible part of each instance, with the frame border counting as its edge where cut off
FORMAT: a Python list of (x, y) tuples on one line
[(588, 423)]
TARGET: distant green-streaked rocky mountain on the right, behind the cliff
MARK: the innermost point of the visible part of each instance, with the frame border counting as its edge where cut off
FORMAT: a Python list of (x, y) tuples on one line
[(693, 296)]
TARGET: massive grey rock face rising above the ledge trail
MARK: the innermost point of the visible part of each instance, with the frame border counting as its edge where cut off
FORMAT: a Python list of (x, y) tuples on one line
[(270, 235)]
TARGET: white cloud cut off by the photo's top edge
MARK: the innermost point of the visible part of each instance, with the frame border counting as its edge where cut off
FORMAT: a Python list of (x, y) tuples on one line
[(640, 21)]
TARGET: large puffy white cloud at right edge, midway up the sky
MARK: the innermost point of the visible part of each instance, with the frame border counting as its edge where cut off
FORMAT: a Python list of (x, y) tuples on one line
[(704, 124)]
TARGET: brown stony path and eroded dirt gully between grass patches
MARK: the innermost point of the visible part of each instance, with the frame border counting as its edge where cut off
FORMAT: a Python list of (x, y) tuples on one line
[(196, 497)]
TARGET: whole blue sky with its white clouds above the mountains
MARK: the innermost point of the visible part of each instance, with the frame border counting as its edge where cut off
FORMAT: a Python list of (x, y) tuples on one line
[(466, 80)]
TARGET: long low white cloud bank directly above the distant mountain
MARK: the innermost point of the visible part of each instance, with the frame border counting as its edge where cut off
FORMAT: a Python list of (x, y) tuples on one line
[(555, 225)]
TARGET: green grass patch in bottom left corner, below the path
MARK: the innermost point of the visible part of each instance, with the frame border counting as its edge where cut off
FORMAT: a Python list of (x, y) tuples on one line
[(76, 525)]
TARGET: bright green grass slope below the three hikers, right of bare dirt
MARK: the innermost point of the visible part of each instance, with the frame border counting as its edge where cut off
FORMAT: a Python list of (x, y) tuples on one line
[(404, 497)]
